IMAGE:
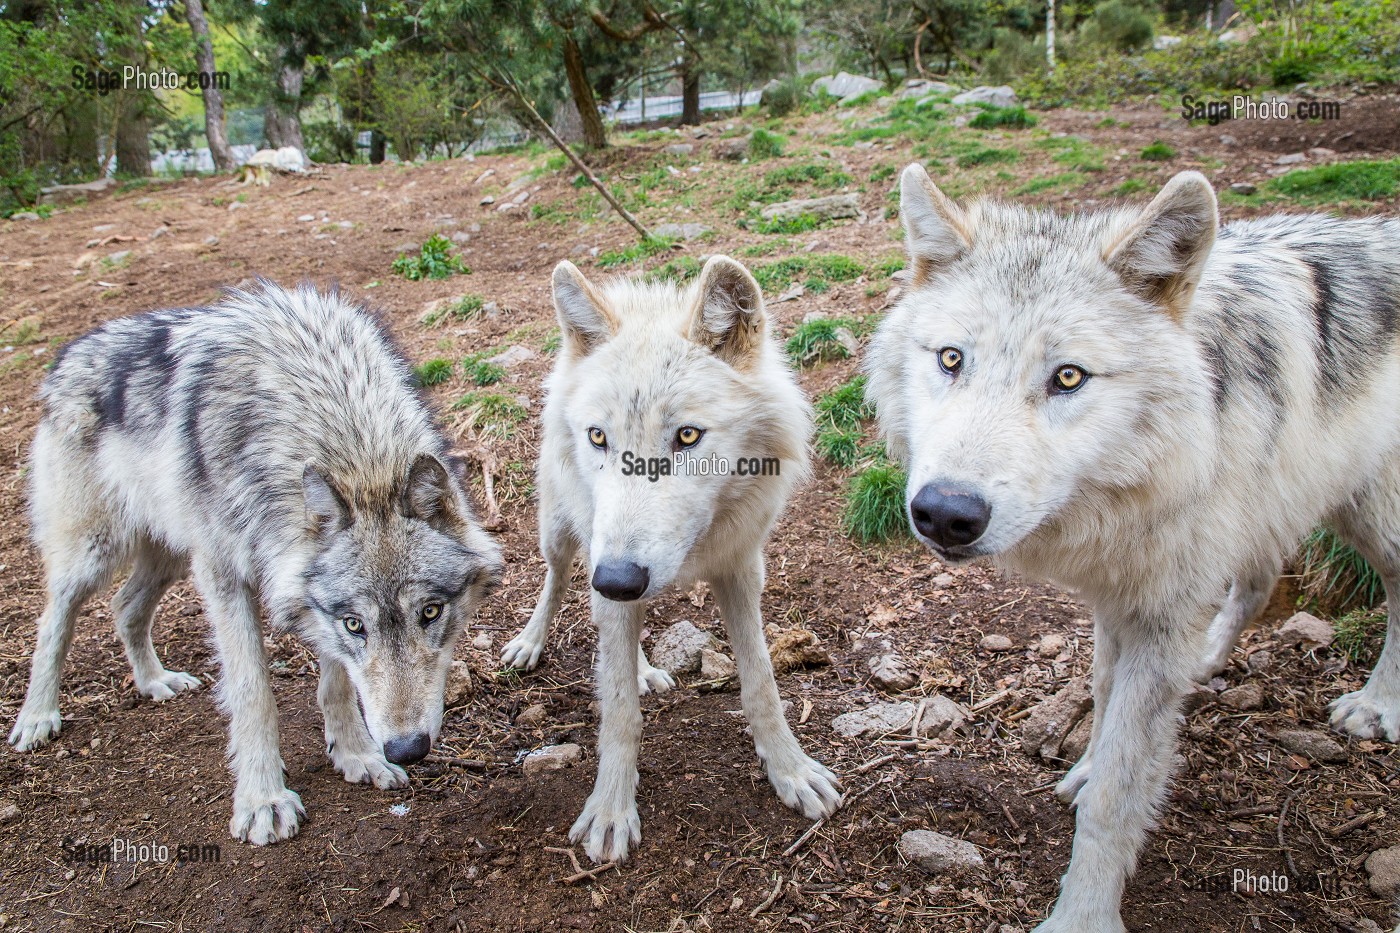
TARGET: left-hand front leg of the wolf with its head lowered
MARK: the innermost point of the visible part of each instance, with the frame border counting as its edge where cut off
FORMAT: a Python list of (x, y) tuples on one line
[(265, 809)]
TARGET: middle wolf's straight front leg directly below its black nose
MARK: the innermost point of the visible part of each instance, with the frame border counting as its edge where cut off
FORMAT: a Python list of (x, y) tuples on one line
[(610, 824)]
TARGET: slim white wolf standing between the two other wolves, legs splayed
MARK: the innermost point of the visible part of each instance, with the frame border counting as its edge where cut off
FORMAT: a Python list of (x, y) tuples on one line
[(649, 373)]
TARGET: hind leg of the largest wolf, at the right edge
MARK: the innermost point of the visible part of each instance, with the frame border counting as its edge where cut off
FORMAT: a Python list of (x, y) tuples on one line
[(1373, 527)]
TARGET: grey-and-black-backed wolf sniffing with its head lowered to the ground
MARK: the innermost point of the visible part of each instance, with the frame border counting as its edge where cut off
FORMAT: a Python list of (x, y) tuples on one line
[(275, 448)]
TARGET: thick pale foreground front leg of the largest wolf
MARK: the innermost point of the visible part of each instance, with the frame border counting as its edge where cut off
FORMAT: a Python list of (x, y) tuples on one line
[(1132, 761)]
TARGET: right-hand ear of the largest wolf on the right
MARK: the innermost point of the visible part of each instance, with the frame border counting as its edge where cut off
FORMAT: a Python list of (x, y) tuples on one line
[(1161, 256)]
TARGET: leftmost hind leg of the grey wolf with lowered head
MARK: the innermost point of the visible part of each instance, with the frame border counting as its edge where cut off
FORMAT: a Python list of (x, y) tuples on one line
[(78, 568)]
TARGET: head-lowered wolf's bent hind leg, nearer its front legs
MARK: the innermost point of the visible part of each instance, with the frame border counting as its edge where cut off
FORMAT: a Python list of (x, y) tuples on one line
[(155, 571)]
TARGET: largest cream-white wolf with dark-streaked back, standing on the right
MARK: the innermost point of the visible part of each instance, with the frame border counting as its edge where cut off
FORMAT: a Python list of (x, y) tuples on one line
[(1147, 408)]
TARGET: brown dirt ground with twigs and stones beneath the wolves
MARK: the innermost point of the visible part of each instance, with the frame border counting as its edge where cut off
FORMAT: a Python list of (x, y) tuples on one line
[(479, 845)]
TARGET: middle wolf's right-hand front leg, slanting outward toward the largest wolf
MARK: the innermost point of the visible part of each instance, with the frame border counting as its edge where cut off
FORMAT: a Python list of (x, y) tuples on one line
[(801, 782)]
